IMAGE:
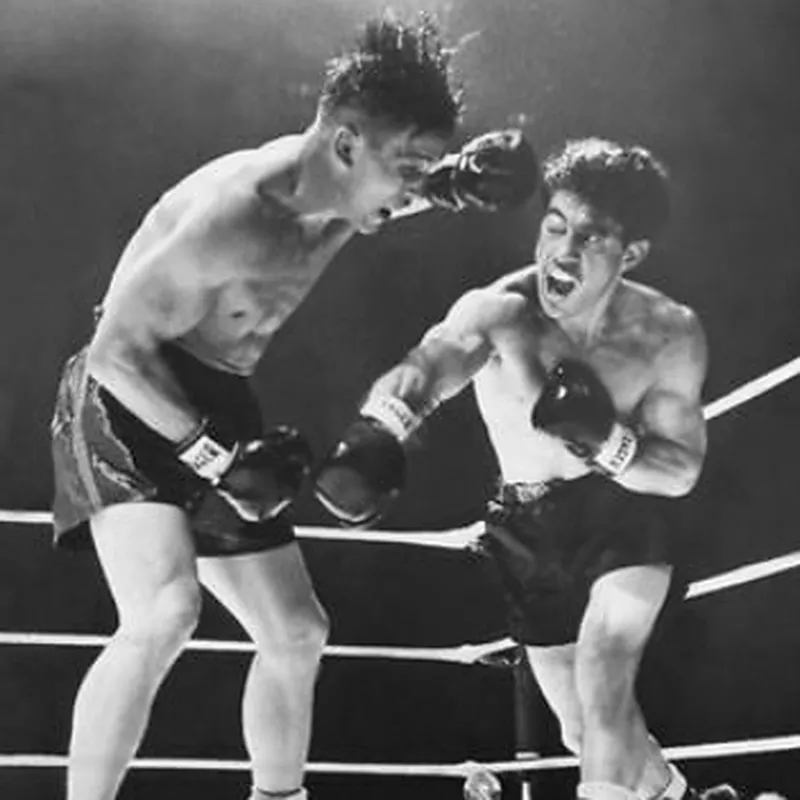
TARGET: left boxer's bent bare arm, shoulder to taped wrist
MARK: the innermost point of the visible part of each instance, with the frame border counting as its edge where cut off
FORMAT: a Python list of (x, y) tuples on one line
[(160, 297)]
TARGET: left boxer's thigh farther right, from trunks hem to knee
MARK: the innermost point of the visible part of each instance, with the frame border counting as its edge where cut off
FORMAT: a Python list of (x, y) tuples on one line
[(269, 592)]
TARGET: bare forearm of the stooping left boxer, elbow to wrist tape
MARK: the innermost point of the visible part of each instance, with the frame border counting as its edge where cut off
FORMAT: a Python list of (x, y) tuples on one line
[(143, 382)]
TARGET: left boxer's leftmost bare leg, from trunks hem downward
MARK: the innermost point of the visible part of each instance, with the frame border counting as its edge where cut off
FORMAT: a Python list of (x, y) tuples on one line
[(147, 556)]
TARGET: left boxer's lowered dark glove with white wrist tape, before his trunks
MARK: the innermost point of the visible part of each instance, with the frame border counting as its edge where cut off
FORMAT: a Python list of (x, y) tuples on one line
[(258, 478)]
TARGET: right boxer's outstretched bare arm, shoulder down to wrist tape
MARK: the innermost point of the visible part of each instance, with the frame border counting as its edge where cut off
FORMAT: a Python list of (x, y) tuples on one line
[(449, 354)]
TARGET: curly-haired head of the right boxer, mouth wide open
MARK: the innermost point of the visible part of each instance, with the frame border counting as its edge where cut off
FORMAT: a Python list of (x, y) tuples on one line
[(606, 206)]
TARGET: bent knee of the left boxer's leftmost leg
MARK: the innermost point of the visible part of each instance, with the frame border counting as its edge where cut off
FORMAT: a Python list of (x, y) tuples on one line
[(167, 620)]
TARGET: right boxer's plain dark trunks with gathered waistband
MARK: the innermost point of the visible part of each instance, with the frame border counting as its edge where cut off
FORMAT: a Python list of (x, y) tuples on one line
[(548, 543)]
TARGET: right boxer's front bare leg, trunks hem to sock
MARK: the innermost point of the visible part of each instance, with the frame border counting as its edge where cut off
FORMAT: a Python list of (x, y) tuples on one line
[(616, 747)]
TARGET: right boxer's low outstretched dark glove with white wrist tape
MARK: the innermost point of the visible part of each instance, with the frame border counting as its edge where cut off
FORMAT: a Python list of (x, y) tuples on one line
[(367, 469)]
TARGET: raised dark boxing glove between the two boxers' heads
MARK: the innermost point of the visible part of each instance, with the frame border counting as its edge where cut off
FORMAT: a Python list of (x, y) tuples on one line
[(493, 172)]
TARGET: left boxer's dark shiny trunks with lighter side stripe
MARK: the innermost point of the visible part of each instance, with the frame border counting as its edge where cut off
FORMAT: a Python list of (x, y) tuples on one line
[(104, 455)]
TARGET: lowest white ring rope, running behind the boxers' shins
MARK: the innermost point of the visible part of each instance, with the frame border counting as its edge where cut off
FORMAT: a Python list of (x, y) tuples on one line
[(773, 744)]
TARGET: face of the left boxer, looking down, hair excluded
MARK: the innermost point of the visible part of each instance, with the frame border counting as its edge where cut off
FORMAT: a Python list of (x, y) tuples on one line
[(383, 173)]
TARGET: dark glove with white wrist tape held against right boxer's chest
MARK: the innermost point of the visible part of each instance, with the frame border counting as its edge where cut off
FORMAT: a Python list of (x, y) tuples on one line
[(576, 407)]
